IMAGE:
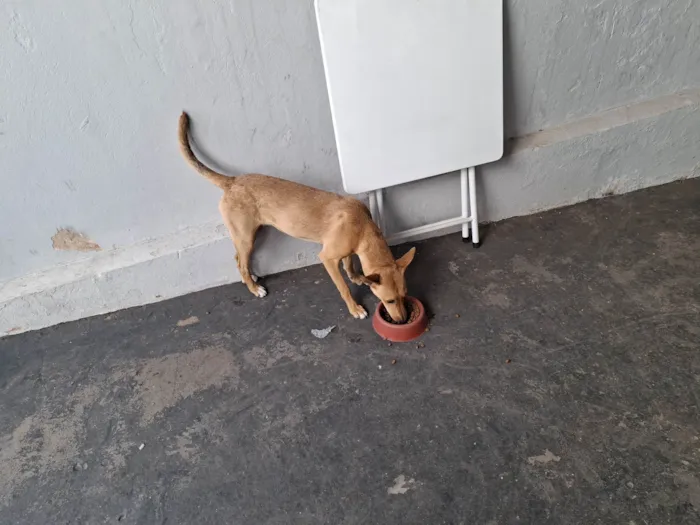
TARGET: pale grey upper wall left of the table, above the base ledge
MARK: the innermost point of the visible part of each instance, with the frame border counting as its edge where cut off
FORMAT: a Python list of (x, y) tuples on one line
[(91, 92)]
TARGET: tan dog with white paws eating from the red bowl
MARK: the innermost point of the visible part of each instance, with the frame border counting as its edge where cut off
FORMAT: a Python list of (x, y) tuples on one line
[(342, 225)]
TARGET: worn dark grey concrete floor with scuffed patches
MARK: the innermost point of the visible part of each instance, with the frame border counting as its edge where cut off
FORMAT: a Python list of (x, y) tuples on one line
[(559, 383)]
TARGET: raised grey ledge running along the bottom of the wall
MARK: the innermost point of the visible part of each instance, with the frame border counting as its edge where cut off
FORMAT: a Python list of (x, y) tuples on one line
[(615, 152)]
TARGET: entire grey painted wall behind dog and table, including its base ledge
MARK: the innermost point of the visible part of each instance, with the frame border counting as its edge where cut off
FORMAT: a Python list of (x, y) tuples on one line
[(91, 91)]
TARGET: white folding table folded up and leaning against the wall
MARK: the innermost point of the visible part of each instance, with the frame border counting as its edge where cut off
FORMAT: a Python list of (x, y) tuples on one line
[(416, 90)]
